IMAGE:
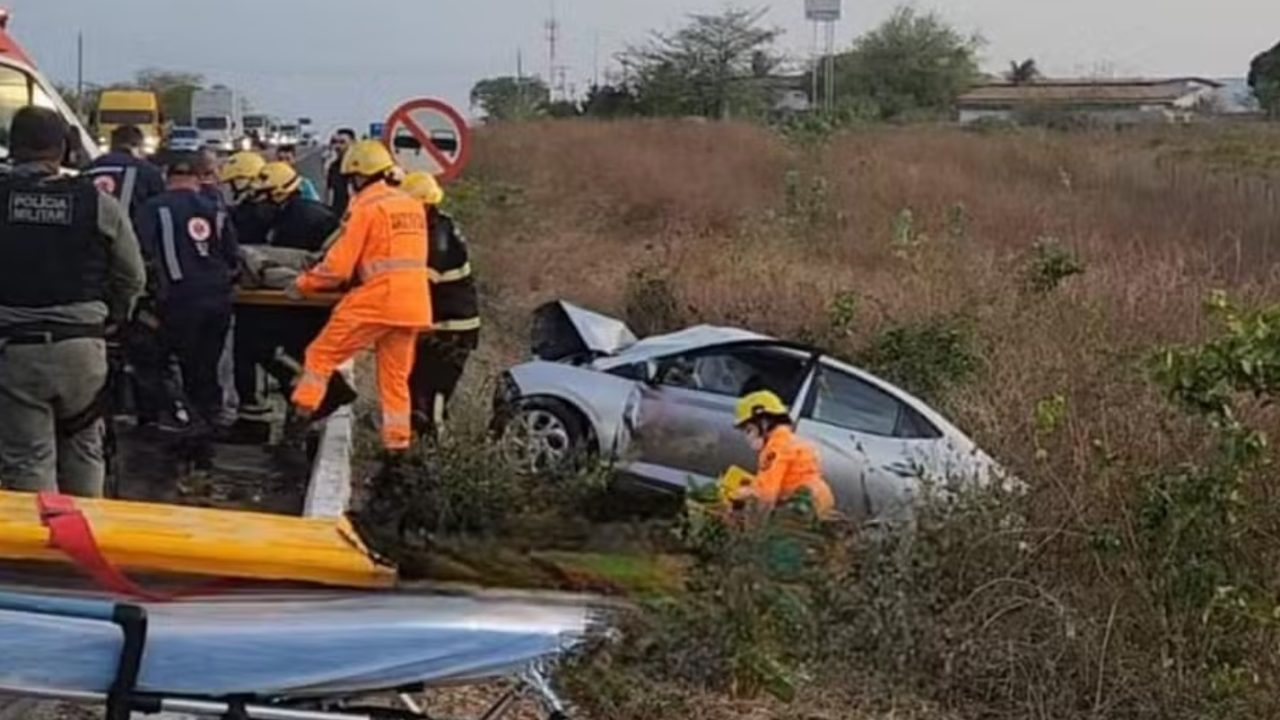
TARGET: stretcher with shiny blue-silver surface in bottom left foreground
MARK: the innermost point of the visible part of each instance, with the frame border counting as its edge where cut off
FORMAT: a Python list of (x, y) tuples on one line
[(289, 657)]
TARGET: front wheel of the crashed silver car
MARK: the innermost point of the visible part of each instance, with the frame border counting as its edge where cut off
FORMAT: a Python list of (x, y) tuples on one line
[(545, 436)]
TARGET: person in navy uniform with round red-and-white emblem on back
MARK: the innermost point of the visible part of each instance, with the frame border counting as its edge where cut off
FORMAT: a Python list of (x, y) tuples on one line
[(193, 261)]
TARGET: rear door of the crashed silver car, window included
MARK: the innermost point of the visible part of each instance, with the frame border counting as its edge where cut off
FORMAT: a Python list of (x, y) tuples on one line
[(872, 444)]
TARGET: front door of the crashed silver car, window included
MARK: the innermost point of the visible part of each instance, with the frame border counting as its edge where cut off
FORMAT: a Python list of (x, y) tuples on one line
[(683, 429)]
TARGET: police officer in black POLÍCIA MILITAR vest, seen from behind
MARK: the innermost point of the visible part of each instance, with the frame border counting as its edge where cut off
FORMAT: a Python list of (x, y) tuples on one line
[(70, 267)]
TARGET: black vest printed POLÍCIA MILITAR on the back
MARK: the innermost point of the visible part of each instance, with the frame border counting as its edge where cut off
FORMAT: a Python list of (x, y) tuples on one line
[(52, 250)]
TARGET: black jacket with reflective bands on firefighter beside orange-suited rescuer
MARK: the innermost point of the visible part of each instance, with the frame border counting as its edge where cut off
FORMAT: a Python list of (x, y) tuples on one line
[(455, 303)]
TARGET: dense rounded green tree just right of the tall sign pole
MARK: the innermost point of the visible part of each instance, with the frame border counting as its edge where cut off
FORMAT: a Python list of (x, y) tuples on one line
[(913, 65)]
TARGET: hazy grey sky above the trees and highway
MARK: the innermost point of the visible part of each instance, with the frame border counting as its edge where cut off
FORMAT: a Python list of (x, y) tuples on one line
[(350, 61)]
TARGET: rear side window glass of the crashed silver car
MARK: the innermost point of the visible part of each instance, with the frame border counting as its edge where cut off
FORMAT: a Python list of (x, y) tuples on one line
[(849, 403)]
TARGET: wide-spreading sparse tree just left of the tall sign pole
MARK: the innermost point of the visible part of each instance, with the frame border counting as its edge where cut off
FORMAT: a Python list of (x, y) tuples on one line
[(706, 69)]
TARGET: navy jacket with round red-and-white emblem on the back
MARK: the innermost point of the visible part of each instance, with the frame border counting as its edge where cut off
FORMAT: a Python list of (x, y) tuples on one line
[(191, 249)]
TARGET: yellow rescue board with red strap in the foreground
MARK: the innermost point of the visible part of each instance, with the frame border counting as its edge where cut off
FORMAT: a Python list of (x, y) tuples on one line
[(194, 541)]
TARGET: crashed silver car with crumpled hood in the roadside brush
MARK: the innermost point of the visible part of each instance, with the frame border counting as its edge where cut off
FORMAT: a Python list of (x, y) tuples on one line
[(661, 411)]
